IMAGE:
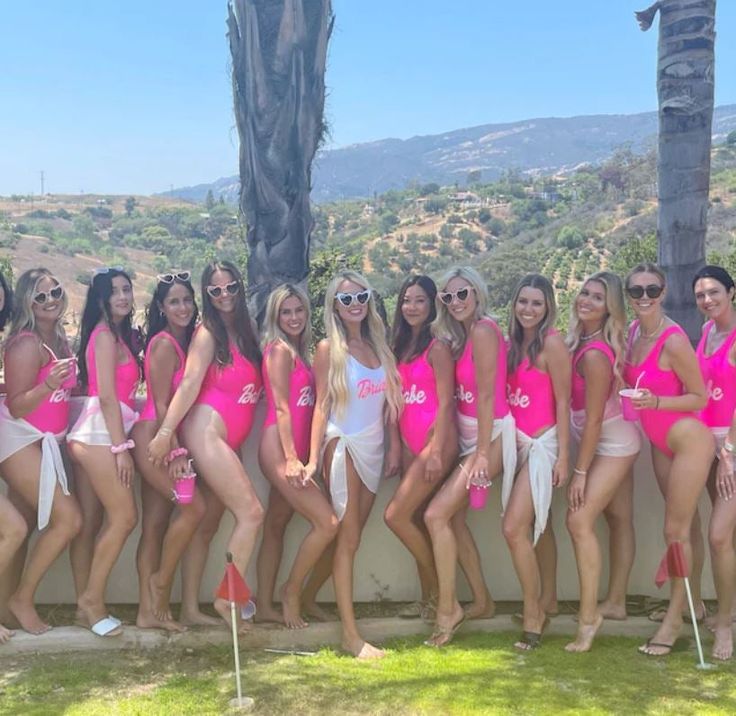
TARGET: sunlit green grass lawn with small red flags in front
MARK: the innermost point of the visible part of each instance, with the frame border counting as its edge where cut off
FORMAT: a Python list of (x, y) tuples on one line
[(478, 673)]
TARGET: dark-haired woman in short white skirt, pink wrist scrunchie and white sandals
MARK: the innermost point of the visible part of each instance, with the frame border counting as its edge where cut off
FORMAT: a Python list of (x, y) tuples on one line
[(99, 446)]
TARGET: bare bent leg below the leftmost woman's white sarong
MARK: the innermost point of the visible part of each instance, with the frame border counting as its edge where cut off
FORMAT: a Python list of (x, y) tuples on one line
[(23, 470)]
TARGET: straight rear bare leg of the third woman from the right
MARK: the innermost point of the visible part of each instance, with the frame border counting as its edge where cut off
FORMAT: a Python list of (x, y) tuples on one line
[(619, 514)]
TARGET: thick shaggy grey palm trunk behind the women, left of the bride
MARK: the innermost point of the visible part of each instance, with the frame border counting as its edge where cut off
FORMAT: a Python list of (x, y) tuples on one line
[(279, 53)]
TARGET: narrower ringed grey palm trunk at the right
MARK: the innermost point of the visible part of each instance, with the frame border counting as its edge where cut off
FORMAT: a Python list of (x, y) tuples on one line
[(685, 91)]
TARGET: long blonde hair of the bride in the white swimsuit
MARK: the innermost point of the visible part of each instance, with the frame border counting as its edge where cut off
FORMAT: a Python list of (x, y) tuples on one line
[(373, 332)]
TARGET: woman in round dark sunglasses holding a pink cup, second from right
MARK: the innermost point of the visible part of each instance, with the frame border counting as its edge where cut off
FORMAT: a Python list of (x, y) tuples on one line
[(660, 357)]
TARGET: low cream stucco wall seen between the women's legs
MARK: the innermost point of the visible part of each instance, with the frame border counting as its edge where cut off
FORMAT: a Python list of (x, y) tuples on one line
[(384, 567)]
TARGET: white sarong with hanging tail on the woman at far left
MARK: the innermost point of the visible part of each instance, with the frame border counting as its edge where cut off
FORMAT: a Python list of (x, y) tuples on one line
[(17, 433)]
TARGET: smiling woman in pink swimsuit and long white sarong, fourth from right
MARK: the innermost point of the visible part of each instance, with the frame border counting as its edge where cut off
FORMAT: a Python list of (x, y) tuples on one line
[(539, 396)]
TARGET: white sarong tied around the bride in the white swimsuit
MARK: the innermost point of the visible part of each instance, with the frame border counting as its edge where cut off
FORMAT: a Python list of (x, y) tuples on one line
[(366, 450)]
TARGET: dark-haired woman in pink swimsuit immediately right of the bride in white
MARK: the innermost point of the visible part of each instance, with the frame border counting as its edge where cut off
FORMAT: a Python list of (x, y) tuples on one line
[(427, 428)]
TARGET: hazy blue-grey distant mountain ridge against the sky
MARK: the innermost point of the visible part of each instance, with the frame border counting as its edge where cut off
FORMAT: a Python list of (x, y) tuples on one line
[(543, 145)]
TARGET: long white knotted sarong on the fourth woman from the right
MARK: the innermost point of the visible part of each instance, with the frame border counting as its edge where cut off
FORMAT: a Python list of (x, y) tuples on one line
[(541, 453)]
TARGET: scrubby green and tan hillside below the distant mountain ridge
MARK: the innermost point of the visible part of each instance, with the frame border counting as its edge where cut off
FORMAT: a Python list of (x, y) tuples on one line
[(565, 226)]
